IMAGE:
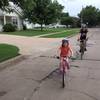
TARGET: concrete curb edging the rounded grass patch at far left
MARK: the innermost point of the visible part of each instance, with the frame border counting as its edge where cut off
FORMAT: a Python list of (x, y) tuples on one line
[(12, 62)]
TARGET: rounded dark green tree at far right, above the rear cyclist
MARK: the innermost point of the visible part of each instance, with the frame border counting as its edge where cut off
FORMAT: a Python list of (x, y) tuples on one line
[(89, 14)]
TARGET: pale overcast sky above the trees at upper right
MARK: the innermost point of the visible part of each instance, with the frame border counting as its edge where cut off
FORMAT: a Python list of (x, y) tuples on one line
[(74, 6)]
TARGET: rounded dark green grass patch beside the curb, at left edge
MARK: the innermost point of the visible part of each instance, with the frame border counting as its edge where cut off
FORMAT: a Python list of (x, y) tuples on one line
[(7, 52)]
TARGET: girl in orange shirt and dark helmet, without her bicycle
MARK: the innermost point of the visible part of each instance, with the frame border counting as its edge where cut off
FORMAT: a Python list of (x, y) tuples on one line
[(65, 52)]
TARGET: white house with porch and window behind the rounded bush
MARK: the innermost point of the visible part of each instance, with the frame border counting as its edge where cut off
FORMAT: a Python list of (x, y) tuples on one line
[(12, 17)]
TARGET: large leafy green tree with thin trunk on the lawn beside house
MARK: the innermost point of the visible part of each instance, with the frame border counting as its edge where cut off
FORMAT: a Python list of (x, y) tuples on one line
[(44, 12)]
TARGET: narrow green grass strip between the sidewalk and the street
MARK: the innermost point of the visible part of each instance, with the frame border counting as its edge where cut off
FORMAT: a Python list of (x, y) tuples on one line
[(63, 34)]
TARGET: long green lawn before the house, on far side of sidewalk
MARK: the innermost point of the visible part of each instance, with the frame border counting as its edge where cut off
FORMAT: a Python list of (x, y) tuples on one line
[(35, 32)]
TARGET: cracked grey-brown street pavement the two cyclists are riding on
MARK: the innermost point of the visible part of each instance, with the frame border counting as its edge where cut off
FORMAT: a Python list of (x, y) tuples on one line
[(36, 78)]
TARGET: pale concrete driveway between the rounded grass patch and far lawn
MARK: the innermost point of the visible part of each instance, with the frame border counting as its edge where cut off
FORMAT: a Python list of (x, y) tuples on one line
[(29, 45)]
